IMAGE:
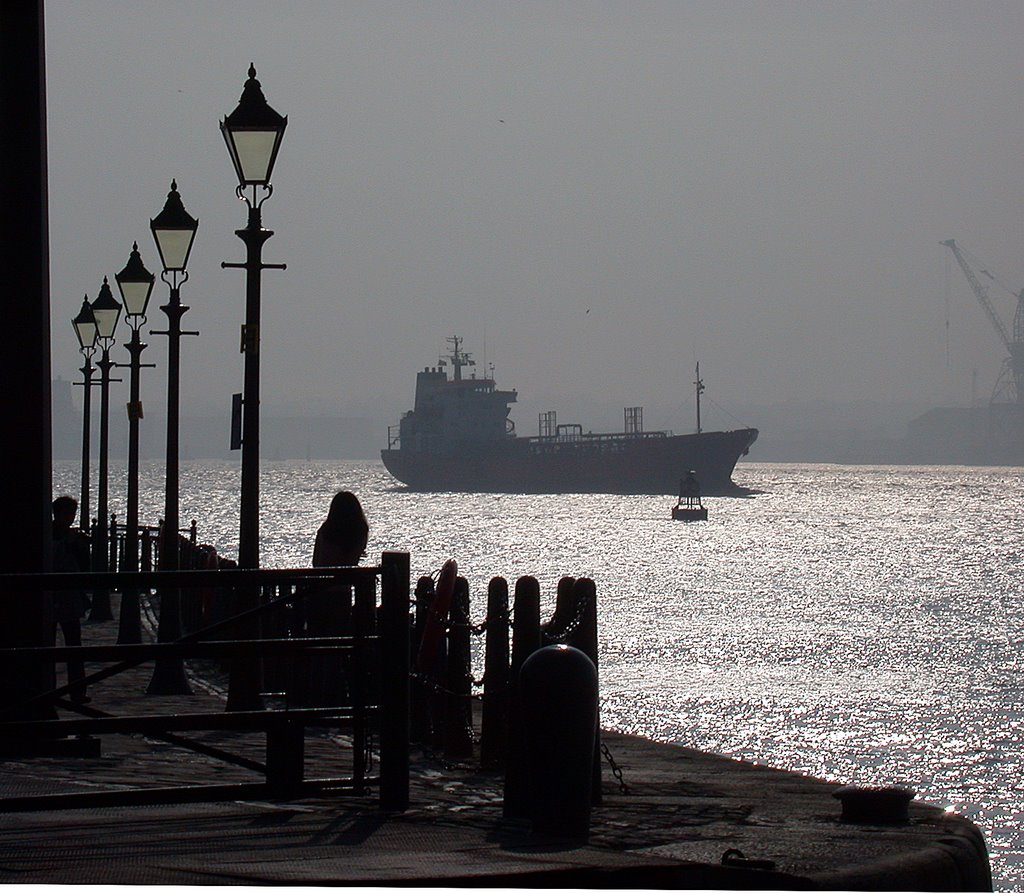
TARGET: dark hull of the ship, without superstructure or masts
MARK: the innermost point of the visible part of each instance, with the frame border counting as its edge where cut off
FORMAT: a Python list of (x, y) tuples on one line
[(614, 465)]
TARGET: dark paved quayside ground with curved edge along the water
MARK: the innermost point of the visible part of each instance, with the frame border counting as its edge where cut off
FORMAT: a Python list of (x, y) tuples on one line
[(685, 810)]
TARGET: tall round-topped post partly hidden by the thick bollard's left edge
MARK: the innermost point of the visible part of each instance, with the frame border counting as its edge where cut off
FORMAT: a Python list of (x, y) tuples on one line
[(526, 641)]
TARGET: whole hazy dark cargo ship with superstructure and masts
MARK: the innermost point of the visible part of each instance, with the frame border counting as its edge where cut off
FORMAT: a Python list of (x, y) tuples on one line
[(459, 437)]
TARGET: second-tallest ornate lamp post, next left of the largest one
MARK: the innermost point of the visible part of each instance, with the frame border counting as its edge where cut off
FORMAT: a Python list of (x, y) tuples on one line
[(175, 231)]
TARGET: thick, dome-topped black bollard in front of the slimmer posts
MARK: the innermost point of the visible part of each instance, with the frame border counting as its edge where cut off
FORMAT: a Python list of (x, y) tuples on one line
[(559, 686)]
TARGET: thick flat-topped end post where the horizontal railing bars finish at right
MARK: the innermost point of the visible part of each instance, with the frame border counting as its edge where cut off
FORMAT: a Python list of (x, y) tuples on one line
[(395, 682)]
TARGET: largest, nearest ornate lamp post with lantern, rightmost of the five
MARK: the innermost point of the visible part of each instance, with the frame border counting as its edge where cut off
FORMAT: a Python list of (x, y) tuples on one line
[(252, 133)]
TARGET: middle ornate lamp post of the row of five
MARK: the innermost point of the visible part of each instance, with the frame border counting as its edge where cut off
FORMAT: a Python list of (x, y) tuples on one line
[(136, 285)]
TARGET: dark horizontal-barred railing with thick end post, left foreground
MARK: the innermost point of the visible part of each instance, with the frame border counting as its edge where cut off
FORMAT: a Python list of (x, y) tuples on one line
[(372, 653)]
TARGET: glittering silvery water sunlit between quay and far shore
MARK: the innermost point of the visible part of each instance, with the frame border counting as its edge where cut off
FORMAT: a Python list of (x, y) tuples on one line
[(861, 624)]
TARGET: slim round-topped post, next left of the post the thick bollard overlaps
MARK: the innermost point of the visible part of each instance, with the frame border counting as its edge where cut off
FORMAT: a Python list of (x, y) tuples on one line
[(494, 713)]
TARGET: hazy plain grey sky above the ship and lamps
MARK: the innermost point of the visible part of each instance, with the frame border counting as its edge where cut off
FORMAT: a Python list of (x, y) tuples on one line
[(595, 195)]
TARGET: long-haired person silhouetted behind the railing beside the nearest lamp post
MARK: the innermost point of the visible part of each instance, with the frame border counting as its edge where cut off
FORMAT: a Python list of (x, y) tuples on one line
[(342, 541)]
